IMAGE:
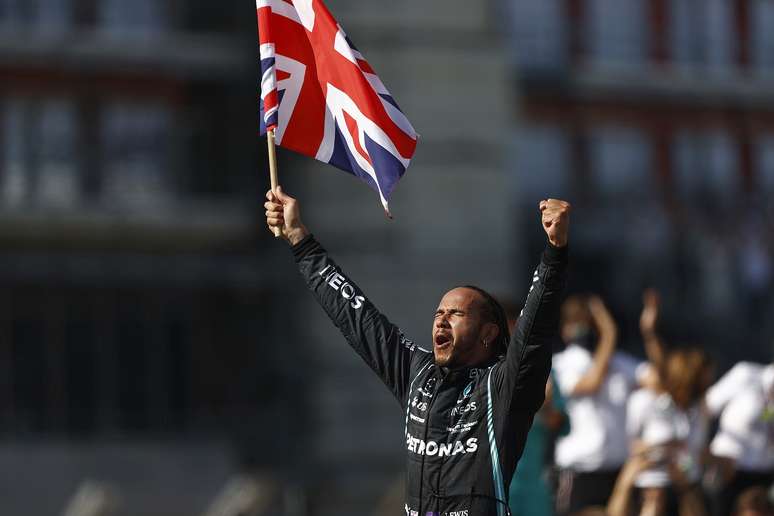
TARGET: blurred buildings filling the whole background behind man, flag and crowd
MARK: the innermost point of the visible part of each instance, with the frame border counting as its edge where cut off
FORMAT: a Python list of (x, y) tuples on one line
[(156, 342)]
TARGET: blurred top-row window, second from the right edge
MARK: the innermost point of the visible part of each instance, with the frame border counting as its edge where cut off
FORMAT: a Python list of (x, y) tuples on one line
[(702, 33)]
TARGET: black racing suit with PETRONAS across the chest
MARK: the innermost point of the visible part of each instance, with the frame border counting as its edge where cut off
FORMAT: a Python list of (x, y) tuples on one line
[(465, 429)]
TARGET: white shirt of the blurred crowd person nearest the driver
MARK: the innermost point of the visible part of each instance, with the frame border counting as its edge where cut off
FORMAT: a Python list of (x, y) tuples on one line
[(597, 439)]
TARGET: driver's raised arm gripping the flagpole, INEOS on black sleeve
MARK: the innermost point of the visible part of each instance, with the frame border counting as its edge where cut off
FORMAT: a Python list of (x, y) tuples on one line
[(379, 343)]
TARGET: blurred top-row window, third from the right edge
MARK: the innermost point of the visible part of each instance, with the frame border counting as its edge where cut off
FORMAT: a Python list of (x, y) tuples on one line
[(617, 30)]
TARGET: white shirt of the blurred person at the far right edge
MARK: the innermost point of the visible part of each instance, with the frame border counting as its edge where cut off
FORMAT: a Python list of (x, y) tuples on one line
[(744, 399)]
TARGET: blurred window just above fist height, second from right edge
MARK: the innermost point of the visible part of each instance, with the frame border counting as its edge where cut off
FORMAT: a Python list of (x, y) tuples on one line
[(706, 163)]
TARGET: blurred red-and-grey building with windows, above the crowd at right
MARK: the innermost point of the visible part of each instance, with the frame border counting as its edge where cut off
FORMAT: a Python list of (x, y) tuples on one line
[(657, 119)]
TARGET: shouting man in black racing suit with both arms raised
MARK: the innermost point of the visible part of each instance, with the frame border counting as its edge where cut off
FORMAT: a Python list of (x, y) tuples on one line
[(469, 404)]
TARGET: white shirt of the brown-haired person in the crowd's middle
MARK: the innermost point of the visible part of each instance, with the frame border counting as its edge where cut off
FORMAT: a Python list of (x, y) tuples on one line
[(654, 419)]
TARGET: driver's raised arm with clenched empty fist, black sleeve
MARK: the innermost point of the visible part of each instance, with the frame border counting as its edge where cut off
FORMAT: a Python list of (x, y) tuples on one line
[(524, 372)]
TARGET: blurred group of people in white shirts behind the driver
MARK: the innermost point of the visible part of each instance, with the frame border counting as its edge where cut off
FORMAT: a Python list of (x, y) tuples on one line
[(620, 436)]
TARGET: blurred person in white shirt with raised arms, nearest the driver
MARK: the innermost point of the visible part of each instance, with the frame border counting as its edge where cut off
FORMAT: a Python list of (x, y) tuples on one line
[(596, 381)]
